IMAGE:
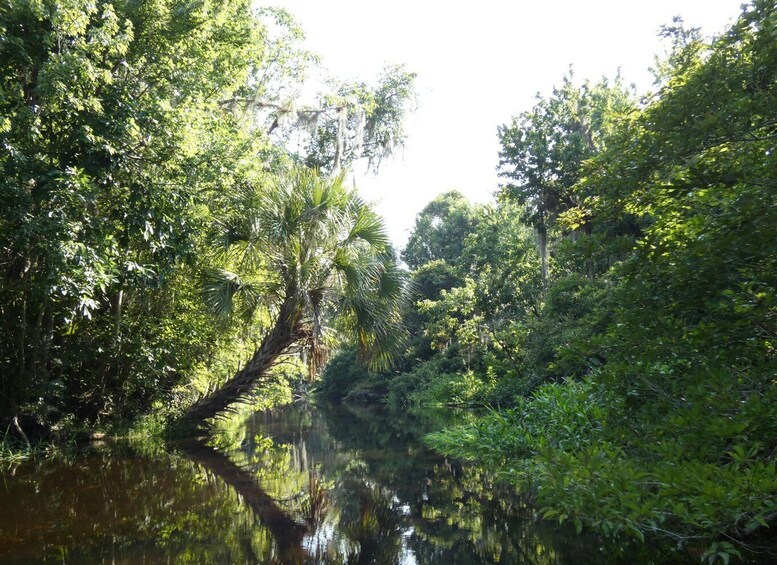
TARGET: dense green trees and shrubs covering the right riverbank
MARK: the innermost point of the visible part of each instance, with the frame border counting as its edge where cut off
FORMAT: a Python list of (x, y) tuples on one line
[(619, 301)]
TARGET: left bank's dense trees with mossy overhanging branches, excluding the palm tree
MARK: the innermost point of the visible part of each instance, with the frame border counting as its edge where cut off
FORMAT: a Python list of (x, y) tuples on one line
[(129, 131)]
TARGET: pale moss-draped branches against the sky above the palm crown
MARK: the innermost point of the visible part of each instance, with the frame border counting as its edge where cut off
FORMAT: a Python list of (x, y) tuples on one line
[(347, 122)]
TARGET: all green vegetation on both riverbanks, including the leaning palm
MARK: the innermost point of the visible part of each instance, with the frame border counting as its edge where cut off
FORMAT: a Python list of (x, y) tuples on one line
[(177, 240)]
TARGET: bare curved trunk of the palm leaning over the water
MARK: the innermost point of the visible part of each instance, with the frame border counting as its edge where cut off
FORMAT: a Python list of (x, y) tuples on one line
[(286, 332)]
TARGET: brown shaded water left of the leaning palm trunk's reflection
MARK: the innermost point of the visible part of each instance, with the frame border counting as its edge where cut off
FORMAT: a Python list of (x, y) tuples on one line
[(106, 507)]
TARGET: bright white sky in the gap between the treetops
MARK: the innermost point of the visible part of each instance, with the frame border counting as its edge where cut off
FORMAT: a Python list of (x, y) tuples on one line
[(478, 64)]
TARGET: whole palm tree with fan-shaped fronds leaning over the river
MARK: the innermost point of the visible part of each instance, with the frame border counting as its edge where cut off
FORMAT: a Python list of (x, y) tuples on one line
[(308, 250)]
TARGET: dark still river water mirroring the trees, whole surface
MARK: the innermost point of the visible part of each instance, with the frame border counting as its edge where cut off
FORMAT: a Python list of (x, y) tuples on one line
[(301, 485)]
